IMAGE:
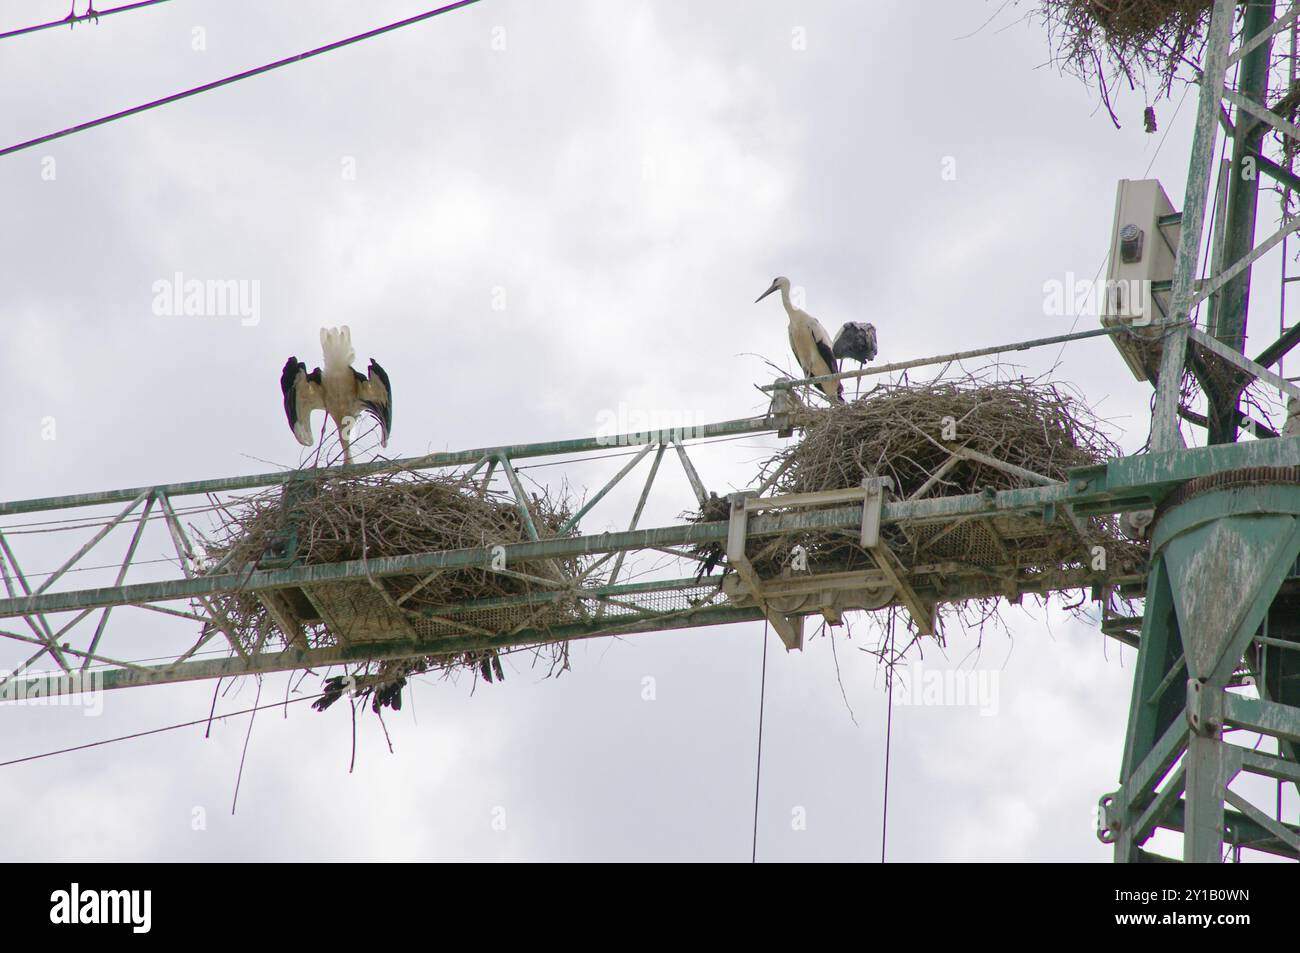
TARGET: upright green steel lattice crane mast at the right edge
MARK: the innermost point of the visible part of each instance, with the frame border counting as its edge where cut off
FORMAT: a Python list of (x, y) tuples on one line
[(1220, 557)]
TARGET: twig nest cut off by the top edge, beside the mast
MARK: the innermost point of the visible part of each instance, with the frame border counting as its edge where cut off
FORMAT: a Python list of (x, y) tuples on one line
[(1136, 44)]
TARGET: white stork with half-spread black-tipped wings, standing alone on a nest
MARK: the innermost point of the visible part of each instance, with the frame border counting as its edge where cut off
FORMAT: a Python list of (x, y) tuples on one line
[(340, 391)]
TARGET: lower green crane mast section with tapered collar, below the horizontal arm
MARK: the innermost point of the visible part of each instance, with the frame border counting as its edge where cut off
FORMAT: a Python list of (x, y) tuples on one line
[(1219, 561)]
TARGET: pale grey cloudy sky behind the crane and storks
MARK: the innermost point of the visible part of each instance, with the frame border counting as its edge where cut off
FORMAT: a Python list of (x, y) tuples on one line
[(539, 215)]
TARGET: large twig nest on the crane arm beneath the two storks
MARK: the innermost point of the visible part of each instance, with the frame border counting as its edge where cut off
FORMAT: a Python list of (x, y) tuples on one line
[(942, 440)]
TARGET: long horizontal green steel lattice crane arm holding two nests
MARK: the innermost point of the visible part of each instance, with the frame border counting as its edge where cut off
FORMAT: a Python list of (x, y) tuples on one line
[(1133, 483)]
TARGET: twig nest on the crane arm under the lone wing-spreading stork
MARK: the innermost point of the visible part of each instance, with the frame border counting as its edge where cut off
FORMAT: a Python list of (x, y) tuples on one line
[(318, 522)]
